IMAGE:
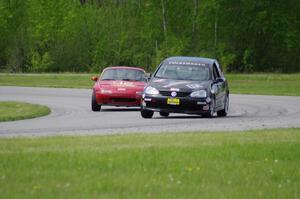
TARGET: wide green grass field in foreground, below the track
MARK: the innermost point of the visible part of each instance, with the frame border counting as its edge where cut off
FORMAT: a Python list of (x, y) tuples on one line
[(253, 164)]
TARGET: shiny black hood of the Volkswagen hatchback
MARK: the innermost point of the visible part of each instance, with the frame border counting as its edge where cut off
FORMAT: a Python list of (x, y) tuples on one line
[(179, 85)]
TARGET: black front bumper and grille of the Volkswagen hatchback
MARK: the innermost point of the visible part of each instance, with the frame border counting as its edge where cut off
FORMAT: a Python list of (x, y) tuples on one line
[(186, 105)]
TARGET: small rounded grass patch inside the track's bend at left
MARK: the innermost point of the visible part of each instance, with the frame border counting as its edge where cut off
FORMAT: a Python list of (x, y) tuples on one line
[(18, 110)]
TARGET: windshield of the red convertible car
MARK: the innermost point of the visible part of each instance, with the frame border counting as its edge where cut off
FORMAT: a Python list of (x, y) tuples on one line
[(123, 74)]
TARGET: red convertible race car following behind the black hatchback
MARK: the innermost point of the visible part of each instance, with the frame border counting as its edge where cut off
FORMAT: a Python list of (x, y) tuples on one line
[(118, 86)]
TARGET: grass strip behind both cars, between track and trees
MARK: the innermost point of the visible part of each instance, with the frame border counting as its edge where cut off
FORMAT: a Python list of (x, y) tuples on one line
[(265, 84)]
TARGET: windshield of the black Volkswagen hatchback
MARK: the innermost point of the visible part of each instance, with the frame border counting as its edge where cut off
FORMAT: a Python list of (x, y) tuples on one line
[(183, 72)]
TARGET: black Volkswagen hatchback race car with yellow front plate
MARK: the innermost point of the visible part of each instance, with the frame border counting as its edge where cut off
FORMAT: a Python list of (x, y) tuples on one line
[(190, 85)]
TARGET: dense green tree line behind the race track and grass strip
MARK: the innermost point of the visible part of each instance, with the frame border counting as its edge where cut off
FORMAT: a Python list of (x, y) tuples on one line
[(88, 35)]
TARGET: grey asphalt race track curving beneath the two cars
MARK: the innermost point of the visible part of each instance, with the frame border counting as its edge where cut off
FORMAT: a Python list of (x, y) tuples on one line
[(72, 115)]
